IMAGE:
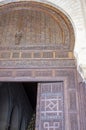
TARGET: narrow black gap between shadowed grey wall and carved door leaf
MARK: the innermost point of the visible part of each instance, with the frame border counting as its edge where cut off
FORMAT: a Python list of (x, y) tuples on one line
[(31, 92)]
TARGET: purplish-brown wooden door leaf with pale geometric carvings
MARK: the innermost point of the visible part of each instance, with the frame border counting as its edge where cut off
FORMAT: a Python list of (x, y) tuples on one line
[(51, 106)]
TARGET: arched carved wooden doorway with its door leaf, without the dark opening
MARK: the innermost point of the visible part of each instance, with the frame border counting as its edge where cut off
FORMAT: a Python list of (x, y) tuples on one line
[(37, 45)]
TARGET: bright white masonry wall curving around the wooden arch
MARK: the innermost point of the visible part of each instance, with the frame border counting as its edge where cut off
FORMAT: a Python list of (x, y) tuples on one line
[(76, 11)]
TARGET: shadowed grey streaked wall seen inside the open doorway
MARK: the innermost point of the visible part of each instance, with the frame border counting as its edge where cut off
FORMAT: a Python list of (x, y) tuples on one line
[(15, 108)]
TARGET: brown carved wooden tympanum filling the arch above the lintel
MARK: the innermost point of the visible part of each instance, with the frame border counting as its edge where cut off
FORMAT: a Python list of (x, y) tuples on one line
[(39, 26)]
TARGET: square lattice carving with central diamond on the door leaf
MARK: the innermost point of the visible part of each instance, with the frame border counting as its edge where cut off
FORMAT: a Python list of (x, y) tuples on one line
[(51, 105)]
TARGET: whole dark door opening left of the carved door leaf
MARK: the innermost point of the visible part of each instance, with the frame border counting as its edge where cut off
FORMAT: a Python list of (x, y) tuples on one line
[(18, 105)]
